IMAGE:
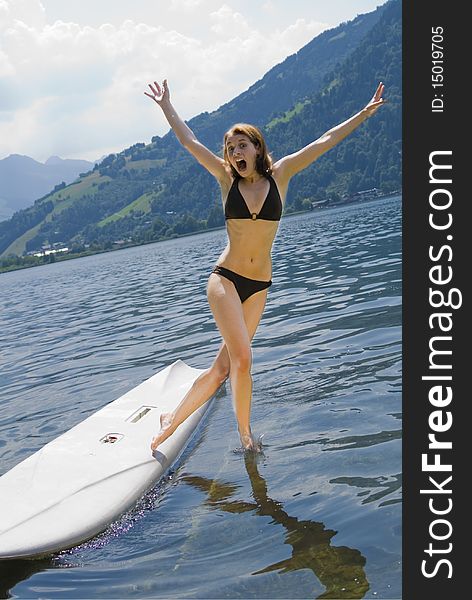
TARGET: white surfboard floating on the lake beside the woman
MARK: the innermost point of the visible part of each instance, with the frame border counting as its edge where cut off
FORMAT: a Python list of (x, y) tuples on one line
[(80, 482)]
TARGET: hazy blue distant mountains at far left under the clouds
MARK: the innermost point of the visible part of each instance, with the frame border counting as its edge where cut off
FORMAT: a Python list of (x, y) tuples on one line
[(23, 179)]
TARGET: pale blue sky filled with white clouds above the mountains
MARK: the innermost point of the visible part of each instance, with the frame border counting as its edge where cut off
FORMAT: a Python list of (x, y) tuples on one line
[(73, 72)]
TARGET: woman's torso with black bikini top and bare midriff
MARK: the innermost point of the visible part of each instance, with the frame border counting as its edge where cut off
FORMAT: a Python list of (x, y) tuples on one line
[(252, 218)]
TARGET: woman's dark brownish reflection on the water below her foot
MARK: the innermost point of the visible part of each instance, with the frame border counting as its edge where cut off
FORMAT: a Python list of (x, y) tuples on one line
[(338, 568)]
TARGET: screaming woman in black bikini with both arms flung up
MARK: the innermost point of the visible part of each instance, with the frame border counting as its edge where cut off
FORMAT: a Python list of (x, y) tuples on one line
[(253, 192)]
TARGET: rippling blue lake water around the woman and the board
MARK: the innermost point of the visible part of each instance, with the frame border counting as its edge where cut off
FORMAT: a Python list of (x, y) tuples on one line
[(319, 514)]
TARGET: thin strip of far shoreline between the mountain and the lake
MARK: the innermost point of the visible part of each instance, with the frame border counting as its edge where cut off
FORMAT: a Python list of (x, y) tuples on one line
[(72, 256)]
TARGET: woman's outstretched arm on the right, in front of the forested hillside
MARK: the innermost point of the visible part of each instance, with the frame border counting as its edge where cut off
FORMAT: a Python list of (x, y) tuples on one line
[(288, 166)]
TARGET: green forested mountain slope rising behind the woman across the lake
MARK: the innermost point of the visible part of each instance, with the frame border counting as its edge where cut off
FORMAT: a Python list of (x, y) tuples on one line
[(155, 191)]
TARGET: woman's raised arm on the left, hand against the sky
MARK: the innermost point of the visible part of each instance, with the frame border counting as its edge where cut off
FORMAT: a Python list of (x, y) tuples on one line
[(213, 163)]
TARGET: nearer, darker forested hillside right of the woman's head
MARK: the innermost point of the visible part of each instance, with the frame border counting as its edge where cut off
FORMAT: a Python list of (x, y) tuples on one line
[(371, 156)]
